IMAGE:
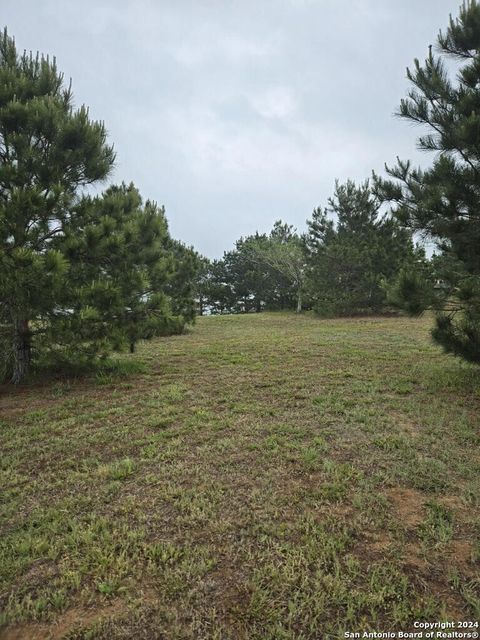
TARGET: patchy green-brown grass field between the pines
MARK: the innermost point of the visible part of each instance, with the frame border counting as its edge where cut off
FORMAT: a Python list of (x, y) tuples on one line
[(264, 477)]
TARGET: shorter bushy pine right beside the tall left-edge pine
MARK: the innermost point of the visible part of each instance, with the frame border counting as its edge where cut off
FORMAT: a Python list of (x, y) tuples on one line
[(121, 266)]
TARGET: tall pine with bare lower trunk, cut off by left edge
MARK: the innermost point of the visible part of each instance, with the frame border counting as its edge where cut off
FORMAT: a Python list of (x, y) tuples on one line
[(48, 150)]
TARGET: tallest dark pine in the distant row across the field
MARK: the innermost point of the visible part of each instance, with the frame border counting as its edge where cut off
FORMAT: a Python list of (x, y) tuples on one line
[(352, 249)]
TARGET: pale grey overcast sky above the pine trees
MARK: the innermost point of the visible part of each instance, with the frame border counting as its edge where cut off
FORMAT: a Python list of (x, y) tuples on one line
[(236, 113)]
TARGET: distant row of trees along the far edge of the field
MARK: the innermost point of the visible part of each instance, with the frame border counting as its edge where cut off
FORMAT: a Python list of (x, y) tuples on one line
[(339, 267)]
